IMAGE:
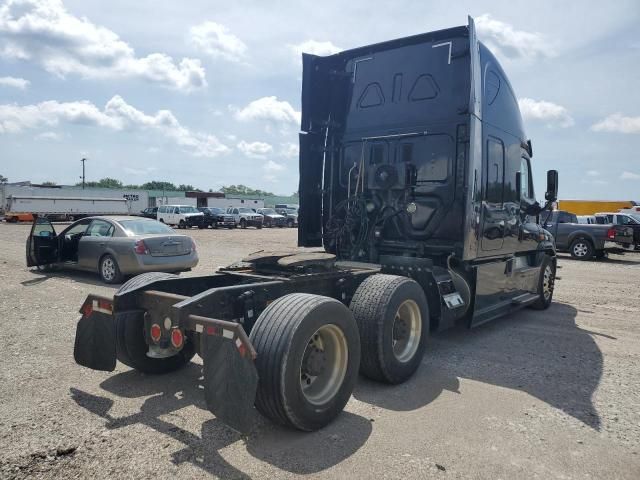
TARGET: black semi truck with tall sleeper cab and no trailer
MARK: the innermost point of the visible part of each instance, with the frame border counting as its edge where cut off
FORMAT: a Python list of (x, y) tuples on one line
[(416, 187)]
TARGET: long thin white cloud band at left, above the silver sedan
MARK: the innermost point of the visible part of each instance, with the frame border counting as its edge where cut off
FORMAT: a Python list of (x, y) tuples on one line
[(116, 115)]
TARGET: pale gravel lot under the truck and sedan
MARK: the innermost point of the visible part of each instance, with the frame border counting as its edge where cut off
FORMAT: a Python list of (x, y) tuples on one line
[(553, 394)]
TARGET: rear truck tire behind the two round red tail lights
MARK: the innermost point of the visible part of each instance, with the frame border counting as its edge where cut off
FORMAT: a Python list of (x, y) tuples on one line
[(131, 348)]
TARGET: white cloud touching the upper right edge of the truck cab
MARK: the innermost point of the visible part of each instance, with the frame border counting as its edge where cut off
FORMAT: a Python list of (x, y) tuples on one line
[(503, 38)]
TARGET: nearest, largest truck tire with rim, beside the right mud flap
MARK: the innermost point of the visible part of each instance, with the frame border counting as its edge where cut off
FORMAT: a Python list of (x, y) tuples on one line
[(308, 358)]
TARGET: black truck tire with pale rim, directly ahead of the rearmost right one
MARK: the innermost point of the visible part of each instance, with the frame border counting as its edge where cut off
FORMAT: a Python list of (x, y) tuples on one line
[(393, 319)]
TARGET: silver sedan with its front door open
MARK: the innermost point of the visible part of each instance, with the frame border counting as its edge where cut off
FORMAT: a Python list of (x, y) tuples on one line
[(112, 246)]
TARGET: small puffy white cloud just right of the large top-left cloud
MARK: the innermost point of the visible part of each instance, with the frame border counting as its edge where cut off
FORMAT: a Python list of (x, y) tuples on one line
[(215, 39)]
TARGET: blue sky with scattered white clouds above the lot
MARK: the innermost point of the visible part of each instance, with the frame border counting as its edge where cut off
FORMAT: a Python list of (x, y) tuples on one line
[(207, 92)]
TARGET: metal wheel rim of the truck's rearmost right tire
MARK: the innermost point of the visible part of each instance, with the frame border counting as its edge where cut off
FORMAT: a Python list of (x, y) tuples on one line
[(324, 364)]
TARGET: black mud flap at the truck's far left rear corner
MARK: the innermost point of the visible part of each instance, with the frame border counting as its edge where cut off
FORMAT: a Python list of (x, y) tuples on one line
[(95, 344)]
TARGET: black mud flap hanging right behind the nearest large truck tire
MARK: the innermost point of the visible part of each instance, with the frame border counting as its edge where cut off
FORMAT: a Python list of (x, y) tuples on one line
[(230, 380)]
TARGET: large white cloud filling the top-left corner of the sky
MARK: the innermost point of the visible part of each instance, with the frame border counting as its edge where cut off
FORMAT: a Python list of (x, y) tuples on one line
[(45, 33)]
